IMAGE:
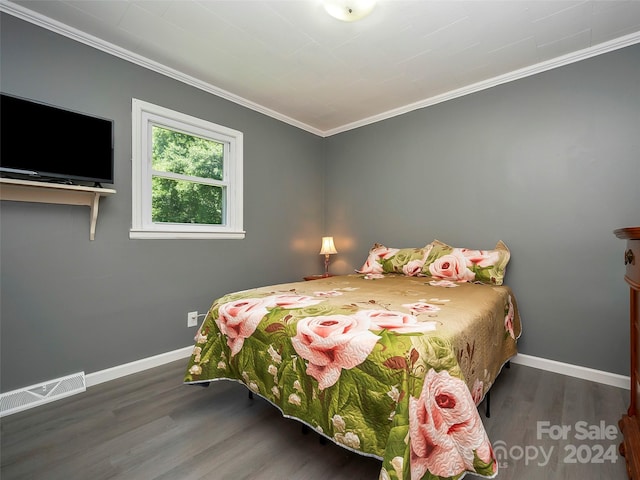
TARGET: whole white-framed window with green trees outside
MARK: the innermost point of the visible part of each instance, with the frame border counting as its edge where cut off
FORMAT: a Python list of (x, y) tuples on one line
[(187, 176)]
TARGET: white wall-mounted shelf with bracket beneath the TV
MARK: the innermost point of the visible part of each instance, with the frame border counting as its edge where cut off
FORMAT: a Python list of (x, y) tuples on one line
[(43, 192)]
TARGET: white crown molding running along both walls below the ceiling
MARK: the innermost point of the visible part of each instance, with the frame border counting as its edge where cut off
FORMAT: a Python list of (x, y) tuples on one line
[(82, 37)]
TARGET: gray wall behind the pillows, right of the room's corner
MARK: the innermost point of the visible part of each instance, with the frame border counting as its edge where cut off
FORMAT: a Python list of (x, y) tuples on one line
[(549, 164)]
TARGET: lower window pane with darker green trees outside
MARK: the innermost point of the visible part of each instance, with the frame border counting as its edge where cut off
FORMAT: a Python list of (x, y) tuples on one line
[(178, 201)]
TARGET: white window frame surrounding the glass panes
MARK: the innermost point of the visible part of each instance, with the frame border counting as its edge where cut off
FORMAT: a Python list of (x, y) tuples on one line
[(146, 115)]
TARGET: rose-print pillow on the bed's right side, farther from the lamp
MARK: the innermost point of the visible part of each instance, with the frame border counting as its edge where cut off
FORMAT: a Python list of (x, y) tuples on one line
[(467, 265)]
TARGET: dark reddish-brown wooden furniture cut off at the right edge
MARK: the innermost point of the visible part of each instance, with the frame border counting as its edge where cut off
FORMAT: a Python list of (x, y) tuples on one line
[(630, 423)]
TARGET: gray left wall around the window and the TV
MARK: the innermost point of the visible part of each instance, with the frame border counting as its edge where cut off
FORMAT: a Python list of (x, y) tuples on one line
[(69, 304)]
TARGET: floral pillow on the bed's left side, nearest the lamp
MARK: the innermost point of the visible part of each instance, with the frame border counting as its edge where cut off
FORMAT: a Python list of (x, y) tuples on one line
[(408, 261)]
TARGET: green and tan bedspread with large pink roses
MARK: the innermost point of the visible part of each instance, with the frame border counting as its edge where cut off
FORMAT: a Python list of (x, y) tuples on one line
[(391, 367)]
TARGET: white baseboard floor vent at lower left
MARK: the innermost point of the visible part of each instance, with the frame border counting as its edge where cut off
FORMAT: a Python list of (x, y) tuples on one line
[(29, 397)]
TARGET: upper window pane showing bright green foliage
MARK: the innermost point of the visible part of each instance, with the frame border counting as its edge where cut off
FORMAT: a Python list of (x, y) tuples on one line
[(186, 154)]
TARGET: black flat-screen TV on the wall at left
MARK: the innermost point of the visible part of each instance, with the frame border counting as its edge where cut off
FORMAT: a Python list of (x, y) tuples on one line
[(47, 143)]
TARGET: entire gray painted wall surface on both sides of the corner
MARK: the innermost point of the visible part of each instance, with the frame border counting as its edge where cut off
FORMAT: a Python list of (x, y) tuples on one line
[(549, 164)]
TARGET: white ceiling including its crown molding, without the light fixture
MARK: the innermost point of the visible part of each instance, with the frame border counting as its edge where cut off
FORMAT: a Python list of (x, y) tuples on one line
[(290, 60)]
